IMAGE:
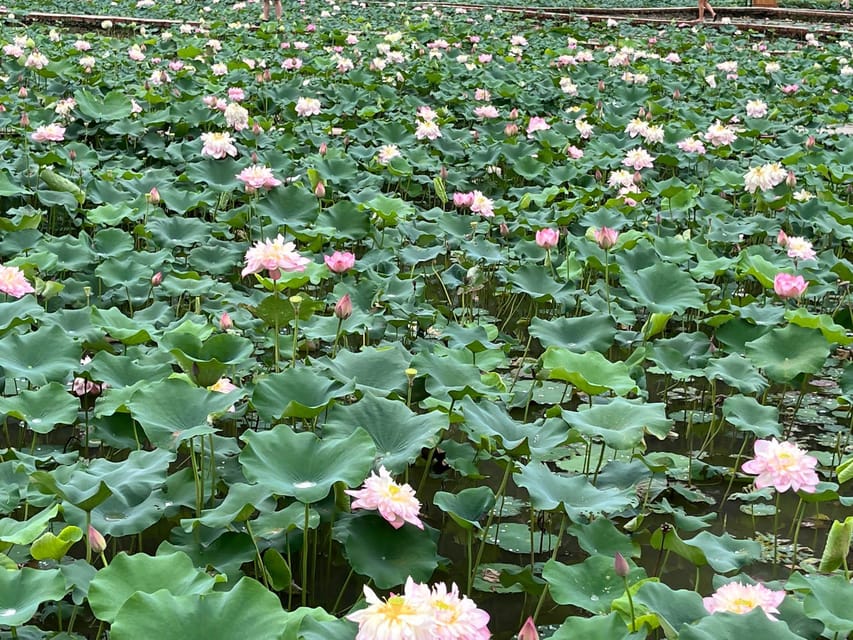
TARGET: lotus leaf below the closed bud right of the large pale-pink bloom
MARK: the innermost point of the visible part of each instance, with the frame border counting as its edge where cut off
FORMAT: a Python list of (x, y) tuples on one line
[(377, 370)]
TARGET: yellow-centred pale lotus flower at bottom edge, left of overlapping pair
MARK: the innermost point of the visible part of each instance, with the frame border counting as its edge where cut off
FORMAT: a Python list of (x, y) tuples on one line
[(396, 618)]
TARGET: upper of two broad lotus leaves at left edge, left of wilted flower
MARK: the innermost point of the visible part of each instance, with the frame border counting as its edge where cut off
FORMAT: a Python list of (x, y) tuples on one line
[(46, 355)]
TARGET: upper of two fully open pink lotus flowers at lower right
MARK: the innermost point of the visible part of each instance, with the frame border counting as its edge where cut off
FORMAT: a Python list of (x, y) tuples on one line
[(783, 466)]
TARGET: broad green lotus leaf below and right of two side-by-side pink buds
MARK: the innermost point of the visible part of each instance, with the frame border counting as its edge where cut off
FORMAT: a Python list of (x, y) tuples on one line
[(663, 288)]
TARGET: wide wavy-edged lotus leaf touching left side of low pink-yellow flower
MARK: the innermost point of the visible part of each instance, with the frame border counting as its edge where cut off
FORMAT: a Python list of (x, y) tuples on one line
[(304, 466)]
